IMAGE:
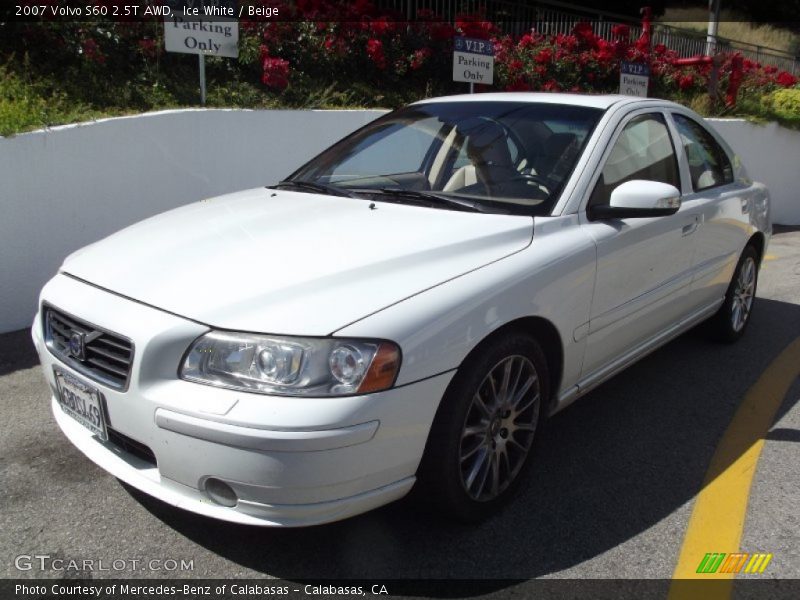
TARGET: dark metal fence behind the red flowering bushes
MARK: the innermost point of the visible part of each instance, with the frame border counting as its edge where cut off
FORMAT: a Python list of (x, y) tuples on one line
[(551, 17)]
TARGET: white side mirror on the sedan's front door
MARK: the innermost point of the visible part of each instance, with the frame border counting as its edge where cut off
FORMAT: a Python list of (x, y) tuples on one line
[(639, 198)]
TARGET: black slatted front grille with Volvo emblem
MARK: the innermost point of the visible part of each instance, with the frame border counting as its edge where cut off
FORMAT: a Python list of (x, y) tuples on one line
[(100, 355)]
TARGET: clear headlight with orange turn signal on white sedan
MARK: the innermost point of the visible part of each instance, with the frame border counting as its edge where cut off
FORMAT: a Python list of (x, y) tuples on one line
[(289, 366)]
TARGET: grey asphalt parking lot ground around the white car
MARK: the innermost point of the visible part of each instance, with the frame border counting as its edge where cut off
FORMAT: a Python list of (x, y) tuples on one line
[(616, 479)]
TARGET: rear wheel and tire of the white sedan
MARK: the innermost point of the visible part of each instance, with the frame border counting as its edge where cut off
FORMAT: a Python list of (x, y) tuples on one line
[(730, 322)]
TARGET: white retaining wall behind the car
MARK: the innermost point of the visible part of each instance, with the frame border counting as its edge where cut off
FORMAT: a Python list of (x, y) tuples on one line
[(66, 187)]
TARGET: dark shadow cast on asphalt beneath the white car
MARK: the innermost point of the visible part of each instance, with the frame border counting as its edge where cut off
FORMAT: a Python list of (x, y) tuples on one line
[(609, 467)]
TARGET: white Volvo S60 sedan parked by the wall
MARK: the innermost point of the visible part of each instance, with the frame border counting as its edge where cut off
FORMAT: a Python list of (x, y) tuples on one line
[(403, 310)]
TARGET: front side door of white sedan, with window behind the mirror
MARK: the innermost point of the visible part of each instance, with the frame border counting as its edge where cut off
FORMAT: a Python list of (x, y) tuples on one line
[(643, 264)]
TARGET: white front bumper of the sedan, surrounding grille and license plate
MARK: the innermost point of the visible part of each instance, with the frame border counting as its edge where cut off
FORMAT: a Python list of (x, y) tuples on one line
[(290, 461)]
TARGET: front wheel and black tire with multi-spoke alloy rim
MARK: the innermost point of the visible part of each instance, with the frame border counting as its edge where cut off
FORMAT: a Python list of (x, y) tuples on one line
[(482, 438)]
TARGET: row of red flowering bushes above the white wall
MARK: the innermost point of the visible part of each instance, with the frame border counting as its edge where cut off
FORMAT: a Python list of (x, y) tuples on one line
[(353, 46)]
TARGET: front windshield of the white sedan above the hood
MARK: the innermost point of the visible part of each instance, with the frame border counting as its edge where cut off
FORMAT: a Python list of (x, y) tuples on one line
[(503, 156)]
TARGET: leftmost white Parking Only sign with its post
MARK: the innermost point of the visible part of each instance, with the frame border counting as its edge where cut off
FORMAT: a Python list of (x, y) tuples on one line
[(202, 27)]
